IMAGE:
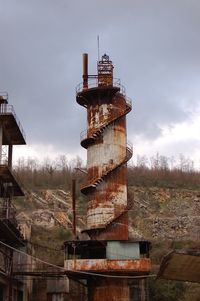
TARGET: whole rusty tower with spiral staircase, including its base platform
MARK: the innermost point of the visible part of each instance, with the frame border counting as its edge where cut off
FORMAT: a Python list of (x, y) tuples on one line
[(108, 261)]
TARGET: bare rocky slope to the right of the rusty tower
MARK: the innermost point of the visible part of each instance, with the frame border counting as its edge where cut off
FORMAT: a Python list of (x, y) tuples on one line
[(165, 213)]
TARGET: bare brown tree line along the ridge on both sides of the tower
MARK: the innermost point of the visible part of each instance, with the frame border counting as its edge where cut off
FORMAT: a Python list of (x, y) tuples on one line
[(157, 170)]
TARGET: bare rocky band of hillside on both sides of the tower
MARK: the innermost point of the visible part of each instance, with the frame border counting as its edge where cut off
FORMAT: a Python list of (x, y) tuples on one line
[(157, 213)]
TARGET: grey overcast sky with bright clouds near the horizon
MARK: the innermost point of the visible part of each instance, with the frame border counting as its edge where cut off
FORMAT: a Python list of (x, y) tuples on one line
[(155, 48)]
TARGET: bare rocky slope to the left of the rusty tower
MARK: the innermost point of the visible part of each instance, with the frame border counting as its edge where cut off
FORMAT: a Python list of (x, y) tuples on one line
[(48, 209)]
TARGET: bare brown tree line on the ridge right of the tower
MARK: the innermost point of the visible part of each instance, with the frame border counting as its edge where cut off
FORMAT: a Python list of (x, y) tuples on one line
[(164, 171)]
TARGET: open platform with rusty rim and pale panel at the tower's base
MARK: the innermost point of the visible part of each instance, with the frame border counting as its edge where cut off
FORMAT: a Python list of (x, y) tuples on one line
[(107, 257)]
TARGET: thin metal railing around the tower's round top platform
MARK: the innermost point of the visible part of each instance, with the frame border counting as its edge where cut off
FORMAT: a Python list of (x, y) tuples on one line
[(93, 83)]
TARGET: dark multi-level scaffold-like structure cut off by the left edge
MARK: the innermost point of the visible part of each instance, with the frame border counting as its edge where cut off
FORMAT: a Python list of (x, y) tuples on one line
[(11, 133)]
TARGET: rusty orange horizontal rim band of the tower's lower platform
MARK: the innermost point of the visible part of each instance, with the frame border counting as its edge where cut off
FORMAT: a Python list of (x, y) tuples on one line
[(139, 266)]
